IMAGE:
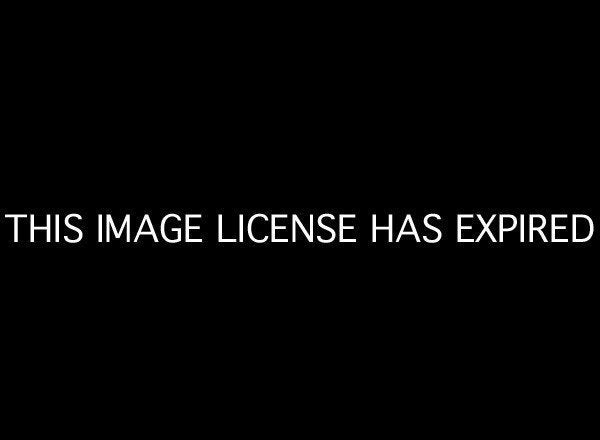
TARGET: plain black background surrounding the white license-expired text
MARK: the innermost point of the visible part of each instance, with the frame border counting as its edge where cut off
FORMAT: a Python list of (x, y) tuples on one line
[(369, 113)]
